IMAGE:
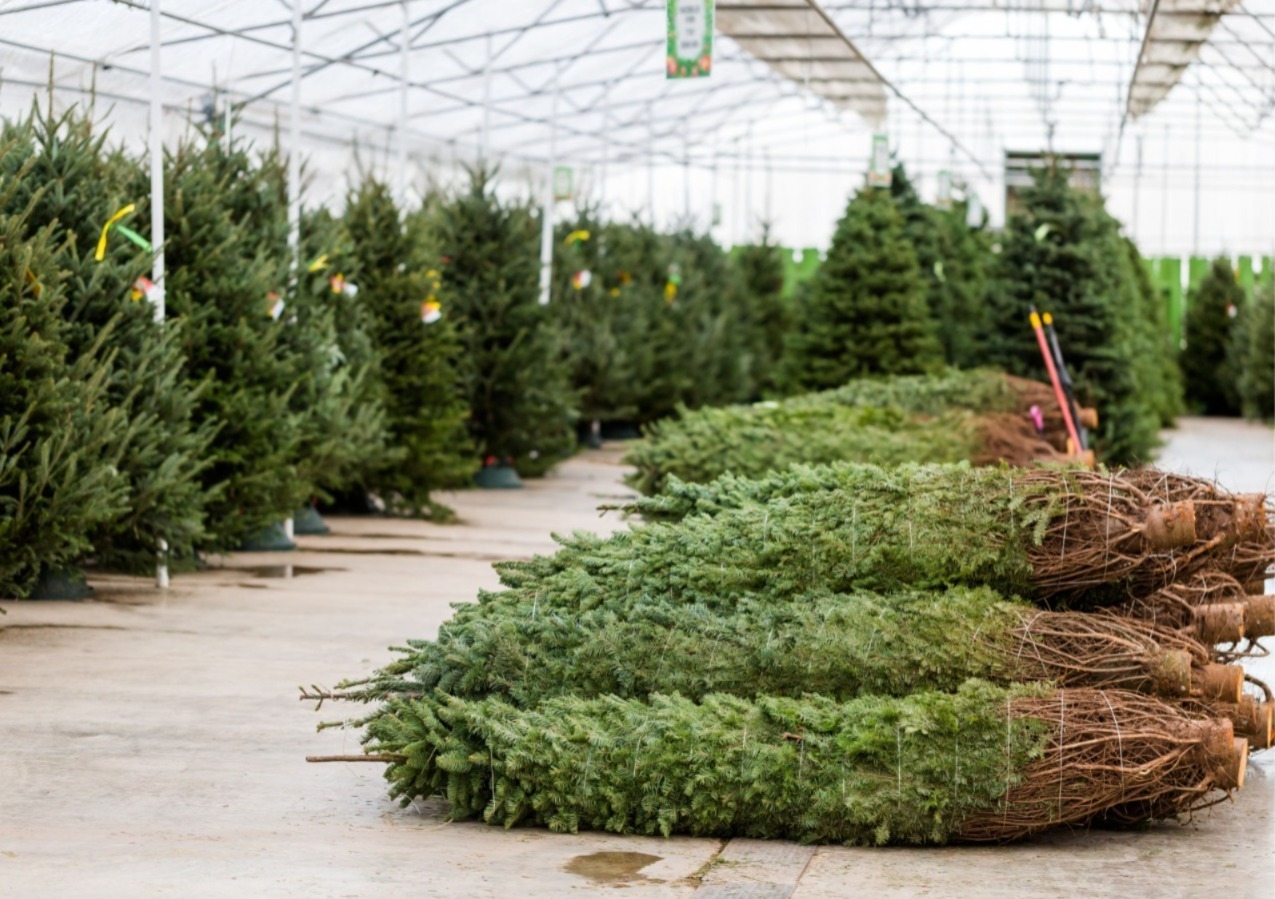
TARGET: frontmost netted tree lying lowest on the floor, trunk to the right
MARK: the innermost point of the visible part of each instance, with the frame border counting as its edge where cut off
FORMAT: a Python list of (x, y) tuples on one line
[(982, 764)]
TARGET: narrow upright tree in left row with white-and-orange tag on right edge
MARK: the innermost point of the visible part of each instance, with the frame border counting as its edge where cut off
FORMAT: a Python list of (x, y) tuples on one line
[(420, 367)]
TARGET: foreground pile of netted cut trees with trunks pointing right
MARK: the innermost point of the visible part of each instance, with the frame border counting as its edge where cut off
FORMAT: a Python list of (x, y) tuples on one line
[(849, 654)]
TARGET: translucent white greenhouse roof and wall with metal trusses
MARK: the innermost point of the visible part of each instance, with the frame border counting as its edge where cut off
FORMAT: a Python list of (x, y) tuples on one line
[(1177, 95)]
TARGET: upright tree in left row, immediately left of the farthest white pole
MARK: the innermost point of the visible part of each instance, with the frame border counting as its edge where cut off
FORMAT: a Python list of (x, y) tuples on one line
[(520, 391)]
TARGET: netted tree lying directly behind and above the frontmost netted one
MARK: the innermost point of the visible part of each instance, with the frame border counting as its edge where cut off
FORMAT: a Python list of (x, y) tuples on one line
[(841, 646)]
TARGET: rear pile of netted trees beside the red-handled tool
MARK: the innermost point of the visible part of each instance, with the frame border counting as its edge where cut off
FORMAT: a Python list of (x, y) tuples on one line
[(982, 416)]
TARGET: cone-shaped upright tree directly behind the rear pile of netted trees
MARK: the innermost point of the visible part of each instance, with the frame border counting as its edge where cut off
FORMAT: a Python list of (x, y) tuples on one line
[(866, 311)]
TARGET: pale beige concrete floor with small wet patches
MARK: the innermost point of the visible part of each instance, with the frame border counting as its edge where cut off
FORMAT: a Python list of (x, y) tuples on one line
[(152, 745)]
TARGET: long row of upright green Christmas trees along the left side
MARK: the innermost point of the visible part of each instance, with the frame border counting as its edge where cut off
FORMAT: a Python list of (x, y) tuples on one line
[(393, 354)]
